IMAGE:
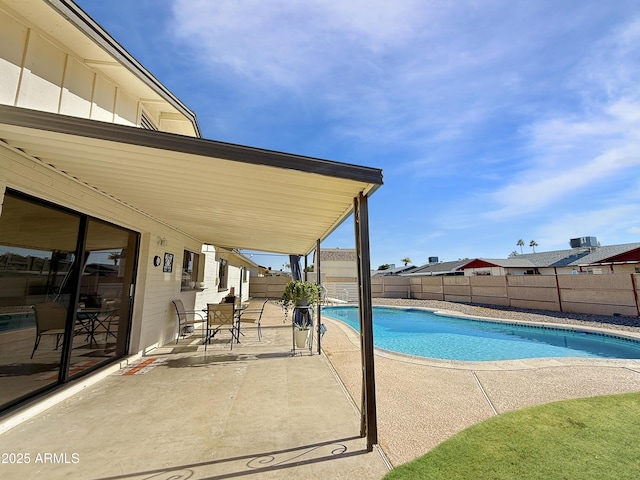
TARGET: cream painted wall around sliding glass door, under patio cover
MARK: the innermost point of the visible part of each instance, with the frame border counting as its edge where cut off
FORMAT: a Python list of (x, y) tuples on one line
[(153, 318)]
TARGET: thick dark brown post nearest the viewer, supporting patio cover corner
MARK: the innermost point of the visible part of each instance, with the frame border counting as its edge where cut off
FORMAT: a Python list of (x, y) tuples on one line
[(369, 425)]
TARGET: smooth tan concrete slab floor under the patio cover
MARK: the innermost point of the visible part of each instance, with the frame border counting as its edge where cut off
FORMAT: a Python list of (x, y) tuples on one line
[(254, 412)]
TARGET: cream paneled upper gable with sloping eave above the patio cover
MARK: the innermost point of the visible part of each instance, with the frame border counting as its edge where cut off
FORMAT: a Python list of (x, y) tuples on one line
[(55, 58)]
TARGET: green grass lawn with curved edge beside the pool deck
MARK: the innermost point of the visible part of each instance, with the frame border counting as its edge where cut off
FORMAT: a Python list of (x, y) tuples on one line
[(591, 438)]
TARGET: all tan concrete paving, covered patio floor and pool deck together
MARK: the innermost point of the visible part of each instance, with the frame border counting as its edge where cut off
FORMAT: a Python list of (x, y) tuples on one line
[(227, 414)]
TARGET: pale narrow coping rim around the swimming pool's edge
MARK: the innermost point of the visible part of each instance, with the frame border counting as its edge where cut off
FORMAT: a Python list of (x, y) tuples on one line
[(519, 364)]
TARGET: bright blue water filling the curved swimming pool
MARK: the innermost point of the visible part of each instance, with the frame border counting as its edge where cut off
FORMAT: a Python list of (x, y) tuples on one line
[(422, 333)]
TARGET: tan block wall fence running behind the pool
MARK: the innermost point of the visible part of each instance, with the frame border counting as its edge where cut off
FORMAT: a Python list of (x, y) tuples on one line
[(594, 294)]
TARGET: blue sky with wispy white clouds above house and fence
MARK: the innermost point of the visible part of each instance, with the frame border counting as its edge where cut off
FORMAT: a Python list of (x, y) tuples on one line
[(493, 120)]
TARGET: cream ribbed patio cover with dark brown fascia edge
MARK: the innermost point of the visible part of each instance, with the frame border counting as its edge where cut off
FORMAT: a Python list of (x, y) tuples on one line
[(222, 194)]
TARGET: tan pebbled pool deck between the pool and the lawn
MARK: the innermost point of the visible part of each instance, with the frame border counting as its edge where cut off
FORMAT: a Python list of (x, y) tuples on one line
[(422, 402)]
